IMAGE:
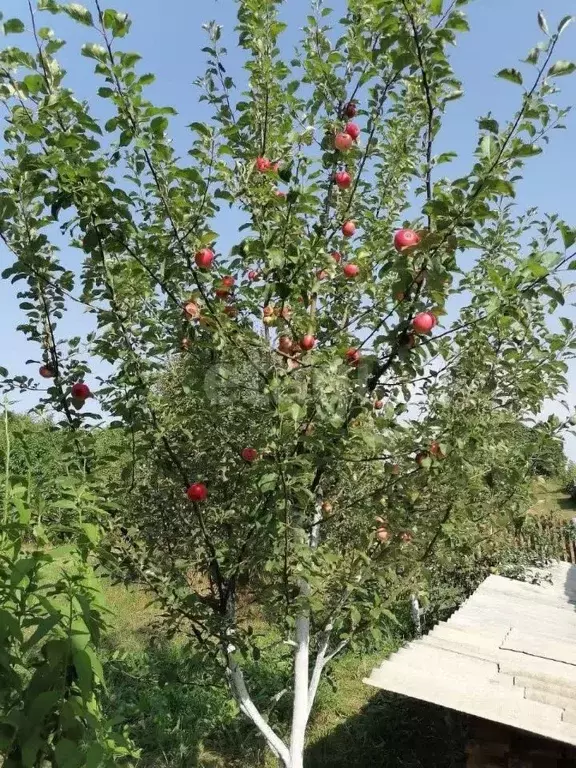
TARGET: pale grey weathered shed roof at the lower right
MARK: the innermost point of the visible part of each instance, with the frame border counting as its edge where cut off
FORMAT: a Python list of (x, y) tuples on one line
[(507, 655)]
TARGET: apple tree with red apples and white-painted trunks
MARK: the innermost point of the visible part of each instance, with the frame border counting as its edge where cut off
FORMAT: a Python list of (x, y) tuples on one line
[(309, 414)]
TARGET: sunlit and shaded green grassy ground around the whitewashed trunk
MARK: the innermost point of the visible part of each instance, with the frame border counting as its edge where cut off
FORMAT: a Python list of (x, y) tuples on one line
[(181, 717)]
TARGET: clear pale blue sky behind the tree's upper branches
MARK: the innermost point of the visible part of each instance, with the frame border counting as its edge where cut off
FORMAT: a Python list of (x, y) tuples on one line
[(169, 37)]
